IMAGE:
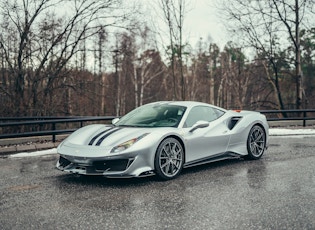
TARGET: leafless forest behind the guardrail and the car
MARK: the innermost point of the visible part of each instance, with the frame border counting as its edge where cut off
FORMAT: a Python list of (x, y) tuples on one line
[(105, 57)]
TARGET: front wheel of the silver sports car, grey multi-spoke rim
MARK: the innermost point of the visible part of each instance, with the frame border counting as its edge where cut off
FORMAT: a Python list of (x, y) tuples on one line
[(169, 159)]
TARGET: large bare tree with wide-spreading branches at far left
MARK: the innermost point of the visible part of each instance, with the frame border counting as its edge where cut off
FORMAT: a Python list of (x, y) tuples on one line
[(47, 41)]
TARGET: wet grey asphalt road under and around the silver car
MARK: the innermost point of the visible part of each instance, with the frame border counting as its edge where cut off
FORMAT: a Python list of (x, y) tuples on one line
[(276, 192)]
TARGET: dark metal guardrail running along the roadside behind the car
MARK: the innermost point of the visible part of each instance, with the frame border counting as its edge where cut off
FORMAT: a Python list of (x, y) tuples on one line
[(278, 115)]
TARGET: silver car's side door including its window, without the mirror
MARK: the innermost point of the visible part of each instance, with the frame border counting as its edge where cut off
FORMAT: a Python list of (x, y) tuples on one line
[(208, 141)]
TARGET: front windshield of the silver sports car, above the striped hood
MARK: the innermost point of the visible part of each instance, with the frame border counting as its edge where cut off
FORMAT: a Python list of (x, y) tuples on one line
[(153, 115)]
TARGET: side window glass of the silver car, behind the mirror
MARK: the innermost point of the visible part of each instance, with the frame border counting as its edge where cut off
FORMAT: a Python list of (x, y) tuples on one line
[(202, 113)]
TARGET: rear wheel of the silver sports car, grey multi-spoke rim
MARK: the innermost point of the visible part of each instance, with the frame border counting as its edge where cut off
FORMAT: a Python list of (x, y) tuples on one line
[(256, 142)]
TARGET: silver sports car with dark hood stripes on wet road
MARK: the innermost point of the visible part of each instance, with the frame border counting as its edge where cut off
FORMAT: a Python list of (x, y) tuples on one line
[(162, 138)]
